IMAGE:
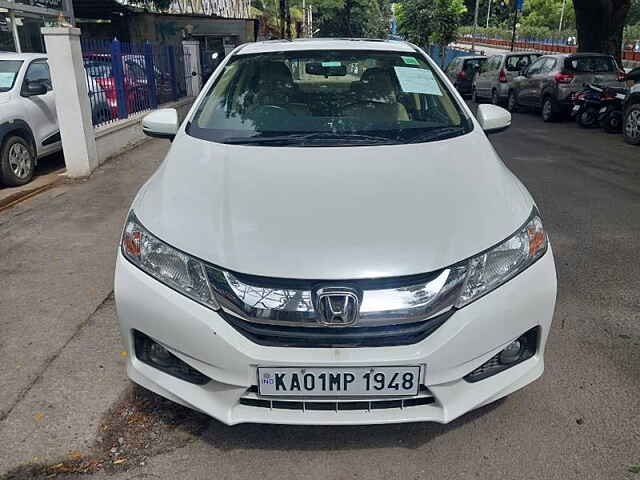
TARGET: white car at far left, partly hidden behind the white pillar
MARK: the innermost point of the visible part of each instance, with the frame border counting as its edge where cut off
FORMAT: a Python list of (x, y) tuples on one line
[(28, 121)]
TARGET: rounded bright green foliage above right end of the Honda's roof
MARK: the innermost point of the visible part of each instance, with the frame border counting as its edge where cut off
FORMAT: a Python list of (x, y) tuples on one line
[(430, 21)]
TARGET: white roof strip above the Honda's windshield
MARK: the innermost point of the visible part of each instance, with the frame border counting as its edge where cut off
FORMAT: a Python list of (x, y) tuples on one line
[(325, 44)]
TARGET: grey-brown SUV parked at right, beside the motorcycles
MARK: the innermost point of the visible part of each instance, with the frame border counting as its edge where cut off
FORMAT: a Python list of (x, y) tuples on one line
[(551, 81)]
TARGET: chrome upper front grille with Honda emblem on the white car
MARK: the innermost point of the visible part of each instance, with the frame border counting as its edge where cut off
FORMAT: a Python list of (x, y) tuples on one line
[(286, 312)]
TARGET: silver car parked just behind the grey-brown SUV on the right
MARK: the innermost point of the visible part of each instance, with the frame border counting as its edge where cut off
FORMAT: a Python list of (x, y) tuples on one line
[(496, 75)]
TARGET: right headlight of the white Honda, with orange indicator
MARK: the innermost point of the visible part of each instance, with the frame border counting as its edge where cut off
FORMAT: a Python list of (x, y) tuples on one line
[(499, 264)]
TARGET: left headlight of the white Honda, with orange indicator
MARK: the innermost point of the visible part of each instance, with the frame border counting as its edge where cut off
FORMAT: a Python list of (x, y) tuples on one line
[(166, 264)]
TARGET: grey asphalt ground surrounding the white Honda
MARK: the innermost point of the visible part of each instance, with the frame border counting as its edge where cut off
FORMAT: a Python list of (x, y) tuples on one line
[(66, 405)]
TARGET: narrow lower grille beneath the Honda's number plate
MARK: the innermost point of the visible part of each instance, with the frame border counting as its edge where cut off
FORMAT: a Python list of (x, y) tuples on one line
[(252, 399)]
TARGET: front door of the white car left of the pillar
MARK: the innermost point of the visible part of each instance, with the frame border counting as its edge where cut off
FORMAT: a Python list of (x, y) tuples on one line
[(41, 109)]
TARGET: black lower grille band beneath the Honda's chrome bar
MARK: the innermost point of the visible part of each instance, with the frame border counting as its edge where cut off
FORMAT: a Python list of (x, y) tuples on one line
[(319, 337)]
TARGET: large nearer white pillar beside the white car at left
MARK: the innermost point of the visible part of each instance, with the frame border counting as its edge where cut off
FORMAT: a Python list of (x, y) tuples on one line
[(72, 99)]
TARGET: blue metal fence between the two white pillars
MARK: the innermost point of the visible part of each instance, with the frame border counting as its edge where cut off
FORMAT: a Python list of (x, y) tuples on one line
[(125, 78)]
